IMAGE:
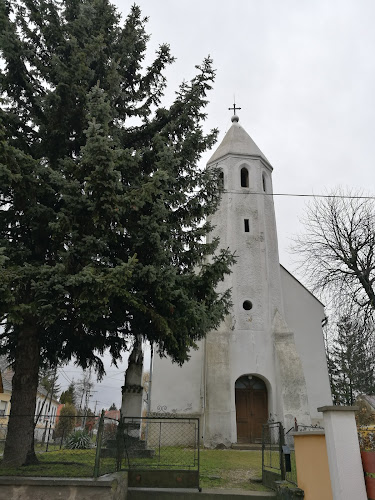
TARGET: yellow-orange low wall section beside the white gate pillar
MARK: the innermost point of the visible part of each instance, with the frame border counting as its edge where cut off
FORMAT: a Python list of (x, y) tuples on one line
[(312, 466)]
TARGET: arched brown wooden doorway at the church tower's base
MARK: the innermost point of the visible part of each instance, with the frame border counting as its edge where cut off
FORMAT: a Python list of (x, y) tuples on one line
[(251, 408)]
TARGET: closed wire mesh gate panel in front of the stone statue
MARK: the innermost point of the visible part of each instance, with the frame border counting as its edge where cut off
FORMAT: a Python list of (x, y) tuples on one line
[(157, 452)]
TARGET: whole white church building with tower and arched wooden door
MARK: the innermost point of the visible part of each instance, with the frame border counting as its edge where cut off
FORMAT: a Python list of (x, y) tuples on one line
[(266, 361)]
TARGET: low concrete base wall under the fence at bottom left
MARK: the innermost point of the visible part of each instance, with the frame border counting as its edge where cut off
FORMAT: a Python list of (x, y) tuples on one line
[(111, 487)]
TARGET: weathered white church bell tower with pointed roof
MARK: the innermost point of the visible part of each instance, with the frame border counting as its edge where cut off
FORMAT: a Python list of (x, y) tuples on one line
[(253, 350)]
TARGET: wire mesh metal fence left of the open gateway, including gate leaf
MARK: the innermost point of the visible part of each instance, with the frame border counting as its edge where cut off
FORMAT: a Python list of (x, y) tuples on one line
[(90, 446)]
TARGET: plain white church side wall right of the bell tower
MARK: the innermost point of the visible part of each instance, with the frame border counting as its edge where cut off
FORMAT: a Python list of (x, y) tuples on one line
[(303, 313)]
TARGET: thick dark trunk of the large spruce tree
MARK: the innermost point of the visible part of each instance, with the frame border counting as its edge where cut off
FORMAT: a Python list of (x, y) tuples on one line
[(19, 447)]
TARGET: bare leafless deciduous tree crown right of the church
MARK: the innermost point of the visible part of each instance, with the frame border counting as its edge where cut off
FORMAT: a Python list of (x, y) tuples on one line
[(337, 251)]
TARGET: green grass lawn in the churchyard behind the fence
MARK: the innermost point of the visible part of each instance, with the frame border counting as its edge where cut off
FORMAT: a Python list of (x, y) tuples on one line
[(218, 468)]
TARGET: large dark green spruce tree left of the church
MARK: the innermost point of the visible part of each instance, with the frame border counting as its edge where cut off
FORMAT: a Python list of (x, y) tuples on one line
[(103, 207)]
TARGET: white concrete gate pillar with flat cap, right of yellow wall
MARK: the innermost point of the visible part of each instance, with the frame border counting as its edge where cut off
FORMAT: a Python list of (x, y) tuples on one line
[(344, 458)]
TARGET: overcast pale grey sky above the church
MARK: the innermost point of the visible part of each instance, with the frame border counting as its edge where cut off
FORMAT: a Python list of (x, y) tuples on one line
[(303, 73)]
